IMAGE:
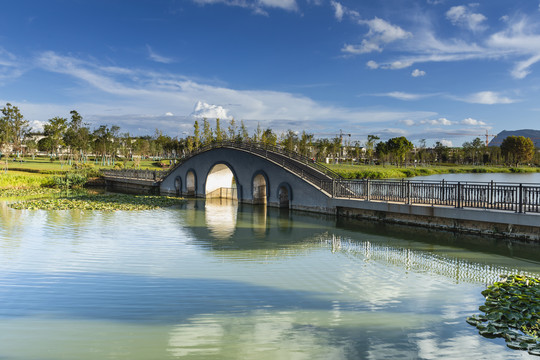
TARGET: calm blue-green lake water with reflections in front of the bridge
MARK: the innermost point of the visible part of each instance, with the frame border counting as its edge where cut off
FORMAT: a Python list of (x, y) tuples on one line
[(222, 281)]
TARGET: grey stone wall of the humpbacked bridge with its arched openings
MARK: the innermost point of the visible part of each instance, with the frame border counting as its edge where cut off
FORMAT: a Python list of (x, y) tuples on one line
[(247, 177)]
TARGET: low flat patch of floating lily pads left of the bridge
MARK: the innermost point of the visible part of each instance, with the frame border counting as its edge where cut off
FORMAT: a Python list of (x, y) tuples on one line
[(102, 202)]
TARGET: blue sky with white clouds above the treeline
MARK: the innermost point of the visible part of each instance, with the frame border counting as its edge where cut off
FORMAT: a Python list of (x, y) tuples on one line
[(439, 70)]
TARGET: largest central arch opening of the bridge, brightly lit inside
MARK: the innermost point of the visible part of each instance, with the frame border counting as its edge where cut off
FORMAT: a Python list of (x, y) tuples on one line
[(221, 182)]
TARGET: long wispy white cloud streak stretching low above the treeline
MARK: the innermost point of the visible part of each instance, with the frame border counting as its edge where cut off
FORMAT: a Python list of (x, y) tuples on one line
[(137, 97)]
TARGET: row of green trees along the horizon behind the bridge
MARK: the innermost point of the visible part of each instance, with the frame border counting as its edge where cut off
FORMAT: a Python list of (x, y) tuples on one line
[(73, 137)]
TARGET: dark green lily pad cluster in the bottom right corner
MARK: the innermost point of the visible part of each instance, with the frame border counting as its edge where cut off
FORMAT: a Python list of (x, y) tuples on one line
[(512, 311)]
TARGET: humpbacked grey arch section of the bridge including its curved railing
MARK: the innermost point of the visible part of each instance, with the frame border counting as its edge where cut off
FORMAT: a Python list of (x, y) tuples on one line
[(302, 185)]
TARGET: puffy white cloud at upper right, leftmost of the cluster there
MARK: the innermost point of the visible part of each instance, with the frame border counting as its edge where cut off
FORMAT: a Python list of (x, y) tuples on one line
[(380, 33)]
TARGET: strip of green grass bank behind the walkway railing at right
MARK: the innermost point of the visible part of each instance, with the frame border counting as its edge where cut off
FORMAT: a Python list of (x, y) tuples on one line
[(393, 172)]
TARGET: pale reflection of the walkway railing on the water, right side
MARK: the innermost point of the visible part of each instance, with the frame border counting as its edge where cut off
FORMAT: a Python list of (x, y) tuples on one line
[(422, 261)]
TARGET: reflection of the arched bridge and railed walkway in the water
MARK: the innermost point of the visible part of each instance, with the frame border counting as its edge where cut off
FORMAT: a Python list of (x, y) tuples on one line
[(258, 229)]
